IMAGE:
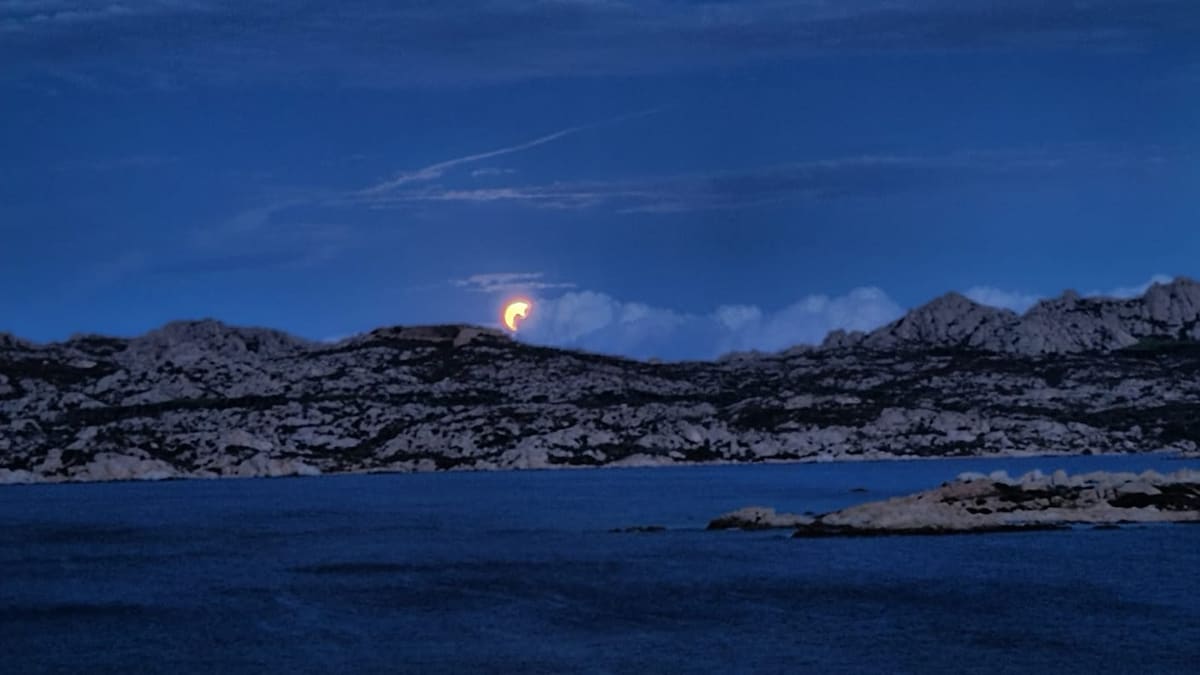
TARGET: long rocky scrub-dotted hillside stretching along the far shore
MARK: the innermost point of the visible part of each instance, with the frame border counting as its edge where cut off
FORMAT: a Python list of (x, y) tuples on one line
[(203, 399)]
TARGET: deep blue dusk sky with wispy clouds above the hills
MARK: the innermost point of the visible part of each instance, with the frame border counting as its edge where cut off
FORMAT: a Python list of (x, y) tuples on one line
[(680, 180)]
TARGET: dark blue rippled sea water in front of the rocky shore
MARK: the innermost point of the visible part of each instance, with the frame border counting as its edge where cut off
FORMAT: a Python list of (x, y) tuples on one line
[(518, 572)]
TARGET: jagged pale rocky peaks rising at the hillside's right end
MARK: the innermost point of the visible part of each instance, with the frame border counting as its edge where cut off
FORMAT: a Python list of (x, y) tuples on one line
[(1064, 325)]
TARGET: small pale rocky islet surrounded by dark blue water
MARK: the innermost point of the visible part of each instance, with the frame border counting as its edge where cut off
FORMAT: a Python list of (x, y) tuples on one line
[(997, 503)]
